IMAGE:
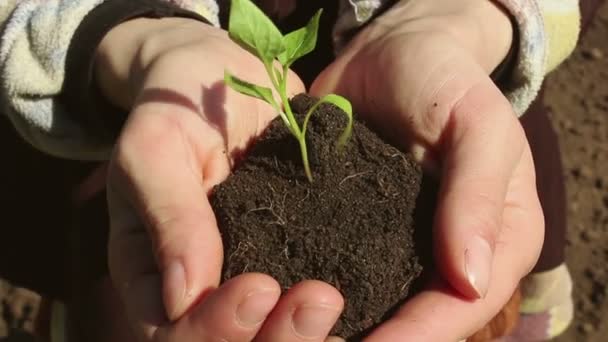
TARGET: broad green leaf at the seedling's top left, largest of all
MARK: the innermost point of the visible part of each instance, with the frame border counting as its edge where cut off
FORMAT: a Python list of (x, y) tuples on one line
[(249, 27)]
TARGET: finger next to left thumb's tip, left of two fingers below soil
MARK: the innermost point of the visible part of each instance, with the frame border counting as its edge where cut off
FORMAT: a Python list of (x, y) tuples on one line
[(233, 312)]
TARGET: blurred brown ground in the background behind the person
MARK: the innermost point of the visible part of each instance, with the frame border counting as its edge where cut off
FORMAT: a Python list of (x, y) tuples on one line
[(578, 97)]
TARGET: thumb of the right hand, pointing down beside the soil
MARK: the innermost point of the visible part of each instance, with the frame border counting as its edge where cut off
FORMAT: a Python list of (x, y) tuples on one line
[(483, 144)]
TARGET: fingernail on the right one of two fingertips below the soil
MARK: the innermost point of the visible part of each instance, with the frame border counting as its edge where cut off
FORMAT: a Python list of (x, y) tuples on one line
[(314, 321)]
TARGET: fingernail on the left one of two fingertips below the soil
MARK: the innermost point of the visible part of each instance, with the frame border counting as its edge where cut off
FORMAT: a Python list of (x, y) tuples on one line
[(256, 305)]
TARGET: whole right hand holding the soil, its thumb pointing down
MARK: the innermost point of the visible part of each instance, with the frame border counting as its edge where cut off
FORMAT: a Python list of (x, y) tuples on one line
[(421, 73)]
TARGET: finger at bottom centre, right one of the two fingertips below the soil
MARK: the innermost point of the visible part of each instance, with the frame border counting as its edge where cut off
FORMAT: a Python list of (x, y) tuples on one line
[(306, 313)]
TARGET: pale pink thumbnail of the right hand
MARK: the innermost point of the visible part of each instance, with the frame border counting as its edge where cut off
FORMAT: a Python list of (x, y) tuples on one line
[(478, 265)]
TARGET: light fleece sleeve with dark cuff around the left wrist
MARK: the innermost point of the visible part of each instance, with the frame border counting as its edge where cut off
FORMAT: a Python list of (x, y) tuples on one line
[(41, 41)]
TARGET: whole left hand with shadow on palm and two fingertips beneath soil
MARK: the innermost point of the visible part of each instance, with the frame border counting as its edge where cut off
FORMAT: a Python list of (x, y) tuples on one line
[(184, 131)]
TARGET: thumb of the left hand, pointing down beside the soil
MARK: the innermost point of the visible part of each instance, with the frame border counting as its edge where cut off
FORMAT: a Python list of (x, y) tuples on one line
[(156, 173)]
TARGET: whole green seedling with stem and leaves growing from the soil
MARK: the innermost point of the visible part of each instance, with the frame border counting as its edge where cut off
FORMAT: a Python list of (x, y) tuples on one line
[(251, 29)]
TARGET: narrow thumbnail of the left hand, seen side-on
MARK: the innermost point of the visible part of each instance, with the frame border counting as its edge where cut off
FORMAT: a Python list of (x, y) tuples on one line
[(174, 288)]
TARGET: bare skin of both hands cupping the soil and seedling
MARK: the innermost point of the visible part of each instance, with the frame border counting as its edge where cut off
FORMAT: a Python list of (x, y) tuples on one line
[(423, 64)]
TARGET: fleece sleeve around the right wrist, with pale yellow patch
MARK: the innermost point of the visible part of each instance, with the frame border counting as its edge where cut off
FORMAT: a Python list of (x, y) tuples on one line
[(547, 32)]
